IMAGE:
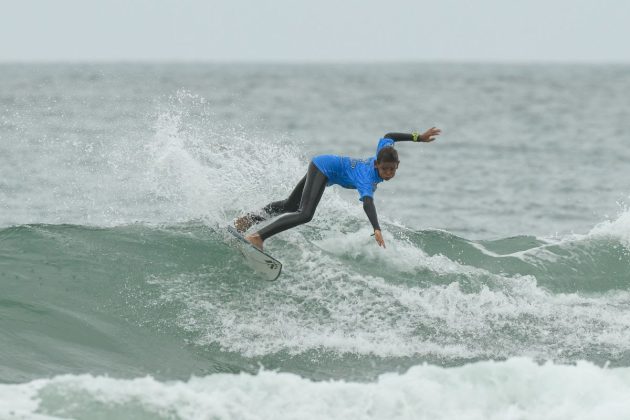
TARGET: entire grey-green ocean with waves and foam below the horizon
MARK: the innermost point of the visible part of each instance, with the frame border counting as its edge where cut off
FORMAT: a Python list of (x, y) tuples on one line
[(503, 293)]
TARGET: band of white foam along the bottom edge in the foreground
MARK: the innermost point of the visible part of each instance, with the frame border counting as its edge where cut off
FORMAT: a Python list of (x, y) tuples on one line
[(515, 389)]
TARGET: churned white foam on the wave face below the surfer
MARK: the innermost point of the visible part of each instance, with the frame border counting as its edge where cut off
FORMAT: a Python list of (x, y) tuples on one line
[(323, 303)]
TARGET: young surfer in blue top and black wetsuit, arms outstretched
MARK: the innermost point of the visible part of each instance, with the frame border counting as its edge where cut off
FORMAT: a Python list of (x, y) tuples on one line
[(324, 170)]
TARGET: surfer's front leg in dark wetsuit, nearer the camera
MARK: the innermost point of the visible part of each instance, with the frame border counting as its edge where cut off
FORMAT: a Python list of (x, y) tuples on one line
[(311, 194)]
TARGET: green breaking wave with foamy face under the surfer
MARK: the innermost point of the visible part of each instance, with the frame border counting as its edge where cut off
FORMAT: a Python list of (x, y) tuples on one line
[(171, 301)]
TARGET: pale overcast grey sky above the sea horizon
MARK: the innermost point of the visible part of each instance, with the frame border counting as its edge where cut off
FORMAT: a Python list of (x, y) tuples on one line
[(322, 30)]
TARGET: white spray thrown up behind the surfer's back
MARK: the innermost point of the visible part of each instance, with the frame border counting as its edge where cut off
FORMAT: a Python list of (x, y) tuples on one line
[(202, 169)]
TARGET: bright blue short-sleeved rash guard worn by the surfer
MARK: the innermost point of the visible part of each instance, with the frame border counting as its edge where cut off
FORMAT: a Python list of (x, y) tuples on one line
[(359, 174)]
